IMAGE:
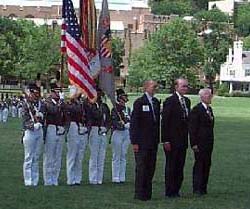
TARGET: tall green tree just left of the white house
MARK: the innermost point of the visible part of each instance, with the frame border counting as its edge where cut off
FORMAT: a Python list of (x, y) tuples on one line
[(217, 33)]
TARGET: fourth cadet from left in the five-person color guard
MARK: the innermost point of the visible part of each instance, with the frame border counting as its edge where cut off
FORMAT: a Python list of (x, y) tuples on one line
[(99, 122)]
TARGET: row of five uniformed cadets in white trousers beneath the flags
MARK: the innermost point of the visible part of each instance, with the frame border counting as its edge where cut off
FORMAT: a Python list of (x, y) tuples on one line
[(47, 123)]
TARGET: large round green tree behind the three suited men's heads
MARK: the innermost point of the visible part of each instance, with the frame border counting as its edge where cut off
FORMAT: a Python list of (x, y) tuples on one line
[(174, 51)]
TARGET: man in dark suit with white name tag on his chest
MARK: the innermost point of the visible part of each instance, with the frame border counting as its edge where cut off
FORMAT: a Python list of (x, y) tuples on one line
[(144, 135)]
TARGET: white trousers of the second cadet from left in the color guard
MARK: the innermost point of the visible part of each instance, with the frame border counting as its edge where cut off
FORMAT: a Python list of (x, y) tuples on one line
[(52, 156)]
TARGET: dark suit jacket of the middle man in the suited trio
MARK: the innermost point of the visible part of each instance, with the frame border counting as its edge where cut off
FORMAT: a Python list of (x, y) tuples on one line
[(174, 127)]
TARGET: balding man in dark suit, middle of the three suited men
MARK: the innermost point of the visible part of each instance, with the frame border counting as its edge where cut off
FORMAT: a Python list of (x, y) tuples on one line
[(175, 113)]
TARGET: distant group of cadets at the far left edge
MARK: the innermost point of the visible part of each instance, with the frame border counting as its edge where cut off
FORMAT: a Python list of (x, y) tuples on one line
[(10, 107)]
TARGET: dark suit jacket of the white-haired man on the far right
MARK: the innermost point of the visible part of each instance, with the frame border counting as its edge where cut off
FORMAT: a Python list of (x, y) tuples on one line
[(201, 127)]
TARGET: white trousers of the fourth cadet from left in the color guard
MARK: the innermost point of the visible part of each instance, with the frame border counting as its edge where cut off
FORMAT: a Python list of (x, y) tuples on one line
[(97, 144)]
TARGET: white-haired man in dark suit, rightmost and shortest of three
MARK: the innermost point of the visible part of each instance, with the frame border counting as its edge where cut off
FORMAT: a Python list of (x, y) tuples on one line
[(201, 127)]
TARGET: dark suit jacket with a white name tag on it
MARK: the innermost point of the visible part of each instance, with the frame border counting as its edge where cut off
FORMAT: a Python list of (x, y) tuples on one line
[(144, 129)]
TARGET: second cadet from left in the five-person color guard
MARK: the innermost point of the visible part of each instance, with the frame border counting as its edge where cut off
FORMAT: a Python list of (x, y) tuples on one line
[(55, 130)]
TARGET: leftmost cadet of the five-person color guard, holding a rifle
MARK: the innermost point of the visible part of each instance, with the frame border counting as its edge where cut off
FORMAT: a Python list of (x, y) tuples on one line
[(32, 115)]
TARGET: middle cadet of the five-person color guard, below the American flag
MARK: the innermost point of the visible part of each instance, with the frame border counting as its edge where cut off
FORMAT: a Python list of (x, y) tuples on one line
[(77, 137)]
